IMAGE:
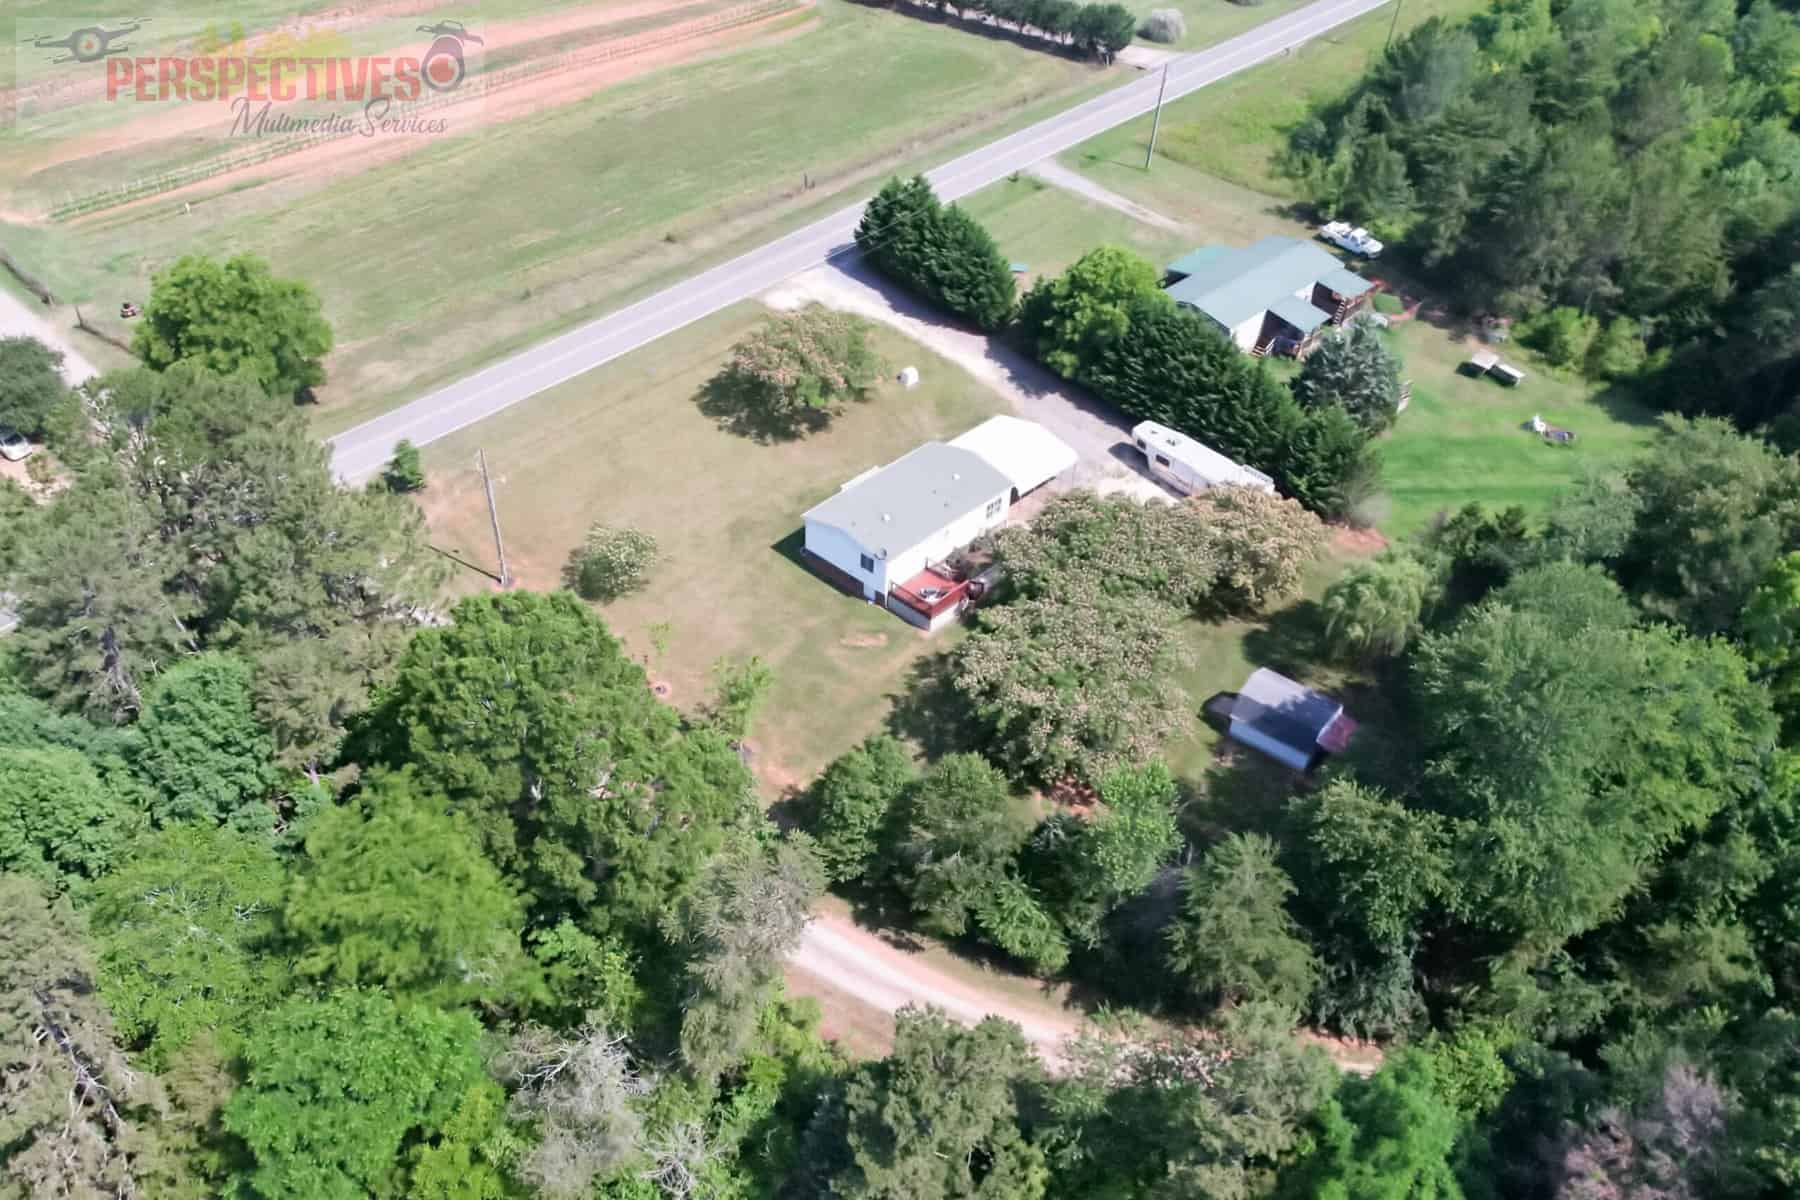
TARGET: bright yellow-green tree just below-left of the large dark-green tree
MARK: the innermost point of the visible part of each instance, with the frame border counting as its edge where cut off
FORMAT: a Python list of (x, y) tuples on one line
[(395, 893)]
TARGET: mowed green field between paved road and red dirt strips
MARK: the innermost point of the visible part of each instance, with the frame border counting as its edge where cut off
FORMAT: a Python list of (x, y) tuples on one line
[(440, 258)]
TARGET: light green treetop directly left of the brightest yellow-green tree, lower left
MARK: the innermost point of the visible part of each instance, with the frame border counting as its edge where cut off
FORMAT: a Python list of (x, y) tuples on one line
[(188, 938)]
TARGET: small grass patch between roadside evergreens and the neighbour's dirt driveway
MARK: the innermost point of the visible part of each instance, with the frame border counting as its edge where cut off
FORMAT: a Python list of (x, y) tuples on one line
[(1047, 228)]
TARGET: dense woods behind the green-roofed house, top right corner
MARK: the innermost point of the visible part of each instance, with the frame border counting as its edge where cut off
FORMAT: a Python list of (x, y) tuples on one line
[(1617, 179)]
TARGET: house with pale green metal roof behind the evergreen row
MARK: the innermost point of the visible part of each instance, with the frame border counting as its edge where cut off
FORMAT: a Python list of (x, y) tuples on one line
[(1273, 294)]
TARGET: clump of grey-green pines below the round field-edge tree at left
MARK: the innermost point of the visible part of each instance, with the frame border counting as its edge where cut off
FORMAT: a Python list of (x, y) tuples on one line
[(206, 517)]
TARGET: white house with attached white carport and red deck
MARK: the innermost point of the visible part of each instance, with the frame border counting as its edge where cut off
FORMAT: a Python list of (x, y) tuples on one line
[(888, 533)]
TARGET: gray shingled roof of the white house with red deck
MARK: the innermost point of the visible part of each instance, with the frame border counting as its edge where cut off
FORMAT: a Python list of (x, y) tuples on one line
[(913, 497)]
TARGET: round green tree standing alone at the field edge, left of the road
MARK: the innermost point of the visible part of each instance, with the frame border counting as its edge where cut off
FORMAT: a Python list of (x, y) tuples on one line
[(235, 316)]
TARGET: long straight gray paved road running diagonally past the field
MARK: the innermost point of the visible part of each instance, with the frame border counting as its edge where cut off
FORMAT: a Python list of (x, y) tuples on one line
[(361, 452)]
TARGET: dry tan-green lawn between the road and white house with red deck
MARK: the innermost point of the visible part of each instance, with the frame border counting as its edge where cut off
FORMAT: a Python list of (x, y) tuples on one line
[(627, 445)]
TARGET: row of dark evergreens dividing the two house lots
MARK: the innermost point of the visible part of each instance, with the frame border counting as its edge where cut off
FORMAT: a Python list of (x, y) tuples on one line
[(1108, 325)]
